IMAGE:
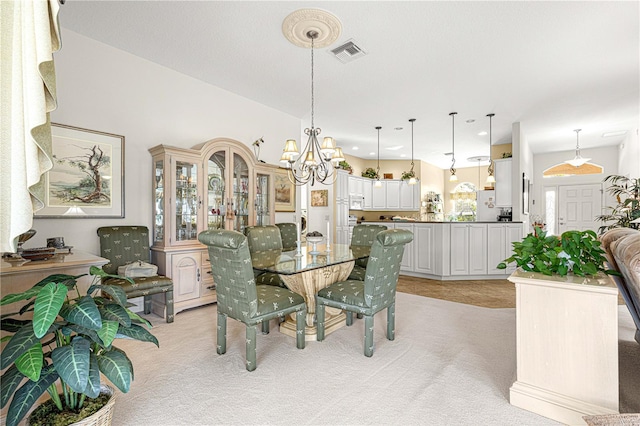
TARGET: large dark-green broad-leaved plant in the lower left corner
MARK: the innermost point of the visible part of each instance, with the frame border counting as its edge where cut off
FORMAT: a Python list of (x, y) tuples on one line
[(68, 341)]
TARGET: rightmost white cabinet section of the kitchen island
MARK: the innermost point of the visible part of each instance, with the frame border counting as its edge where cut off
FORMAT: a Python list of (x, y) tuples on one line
[(500, 239)]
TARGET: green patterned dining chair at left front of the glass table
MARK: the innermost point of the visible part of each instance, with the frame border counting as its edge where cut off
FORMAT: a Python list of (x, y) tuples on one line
[(241, 299)]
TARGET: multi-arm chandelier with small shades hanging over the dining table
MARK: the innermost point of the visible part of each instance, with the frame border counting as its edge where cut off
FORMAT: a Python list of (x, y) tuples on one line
[(315, 163)]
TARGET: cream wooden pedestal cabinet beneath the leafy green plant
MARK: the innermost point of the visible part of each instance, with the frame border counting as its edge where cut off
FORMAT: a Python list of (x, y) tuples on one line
[(567, 346)]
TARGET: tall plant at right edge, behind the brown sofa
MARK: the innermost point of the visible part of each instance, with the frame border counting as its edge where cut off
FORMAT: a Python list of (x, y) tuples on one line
[(627, 194)]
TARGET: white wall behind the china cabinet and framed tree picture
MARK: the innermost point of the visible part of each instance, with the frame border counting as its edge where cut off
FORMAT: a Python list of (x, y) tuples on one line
[(108, 90)]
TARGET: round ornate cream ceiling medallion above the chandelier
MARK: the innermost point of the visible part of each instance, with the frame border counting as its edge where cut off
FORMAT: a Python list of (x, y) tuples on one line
[(297, 24)]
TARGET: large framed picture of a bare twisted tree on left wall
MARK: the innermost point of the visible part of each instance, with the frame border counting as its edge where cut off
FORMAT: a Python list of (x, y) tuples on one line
[(87, 179)]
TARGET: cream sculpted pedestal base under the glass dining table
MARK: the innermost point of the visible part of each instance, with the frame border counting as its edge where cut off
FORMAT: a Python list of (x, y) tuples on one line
[(307, 284)]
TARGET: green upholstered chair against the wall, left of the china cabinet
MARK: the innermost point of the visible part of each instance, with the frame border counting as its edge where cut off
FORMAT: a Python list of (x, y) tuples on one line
[(127, 244)]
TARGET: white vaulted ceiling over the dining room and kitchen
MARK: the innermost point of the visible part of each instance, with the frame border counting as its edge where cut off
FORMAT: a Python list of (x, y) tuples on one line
[(552, 66)]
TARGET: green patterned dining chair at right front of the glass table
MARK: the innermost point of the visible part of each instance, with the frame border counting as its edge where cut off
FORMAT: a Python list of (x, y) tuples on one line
[(376, 292)]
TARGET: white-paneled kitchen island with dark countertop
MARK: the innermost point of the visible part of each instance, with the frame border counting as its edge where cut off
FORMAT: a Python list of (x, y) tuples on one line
[(457, 250)]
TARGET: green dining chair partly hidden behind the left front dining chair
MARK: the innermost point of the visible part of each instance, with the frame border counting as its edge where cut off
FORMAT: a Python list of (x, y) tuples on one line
[(265, 244)]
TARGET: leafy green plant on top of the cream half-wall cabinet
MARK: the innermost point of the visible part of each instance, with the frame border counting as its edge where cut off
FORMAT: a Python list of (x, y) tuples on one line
[(578, 252)]
